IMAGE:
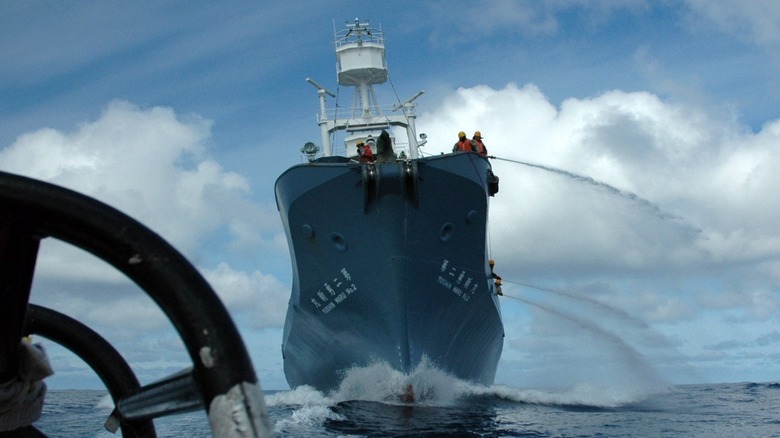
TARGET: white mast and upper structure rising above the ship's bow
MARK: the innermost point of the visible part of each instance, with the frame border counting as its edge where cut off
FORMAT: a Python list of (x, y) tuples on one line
[(361, 64)]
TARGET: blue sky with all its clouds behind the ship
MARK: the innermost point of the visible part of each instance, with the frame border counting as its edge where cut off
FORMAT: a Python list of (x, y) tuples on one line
[(637, 145)]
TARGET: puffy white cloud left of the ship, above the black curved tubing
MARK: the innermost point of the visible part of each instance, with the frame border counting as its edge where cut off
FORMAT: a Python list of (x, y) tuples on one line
[(153, 165)]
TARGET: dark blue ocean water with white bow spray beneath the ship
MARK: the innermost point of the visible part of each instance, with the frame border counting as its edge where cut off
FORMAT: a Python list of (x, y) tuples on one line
[(368, 404)]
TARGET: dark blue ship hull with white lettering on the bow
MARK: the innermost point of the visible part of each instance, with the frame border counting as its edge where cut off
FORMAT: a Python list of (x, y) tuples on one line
[(389, 264)]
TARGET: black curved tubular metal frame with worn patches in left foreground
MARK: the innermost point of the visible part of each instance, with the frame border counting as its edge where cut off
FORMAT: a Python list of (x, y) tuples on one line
[(221, 380)]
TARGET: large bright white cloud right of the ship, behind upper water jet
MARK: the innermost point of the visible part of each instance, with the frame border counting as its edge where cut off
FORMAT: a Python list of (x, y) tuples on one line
[(629, 180)]
